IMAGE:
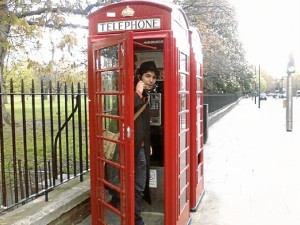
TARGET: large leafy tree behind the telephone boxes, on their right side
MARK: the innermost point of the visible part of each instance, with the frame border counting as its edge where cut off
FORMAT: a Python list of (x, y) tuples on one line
[(225, 66)]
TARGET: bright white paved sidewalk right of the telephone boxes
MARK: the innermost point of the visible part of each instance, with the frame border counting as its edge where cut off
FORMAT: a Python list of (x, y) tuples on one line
[(252, 167)]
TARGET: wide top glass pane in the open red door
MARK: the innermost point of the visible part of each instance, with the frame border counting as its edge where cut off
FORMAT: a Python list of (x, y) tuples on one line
[(109, 57)]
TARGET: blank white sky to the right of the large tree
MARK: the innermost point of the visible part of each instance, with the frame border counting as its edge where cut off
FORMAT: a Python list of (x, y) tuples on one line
[(270, 32)]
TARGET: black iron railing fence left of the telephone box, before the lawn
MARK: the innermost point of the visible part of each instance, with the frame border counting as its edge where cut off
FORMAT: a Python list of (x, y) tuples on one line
[(43, 139)]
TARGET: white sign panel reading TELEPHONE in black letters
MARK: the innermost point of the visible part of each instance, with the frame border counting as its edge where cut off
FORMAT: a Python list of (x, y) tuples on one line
[(129, 25)]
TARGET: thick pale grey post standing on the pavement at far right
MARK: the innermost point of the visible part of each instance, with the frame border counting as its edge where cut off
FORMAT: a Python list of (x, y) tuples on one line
[(289, 96)]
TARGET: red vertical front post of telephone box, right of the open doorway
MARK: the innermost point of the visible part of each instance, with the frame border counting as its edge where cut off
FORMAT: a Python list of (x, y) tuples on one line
[(171, 137)]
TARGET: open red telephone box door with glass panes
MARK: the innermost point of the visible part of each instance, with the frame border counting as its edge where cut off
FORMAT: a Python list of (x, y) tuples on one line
[(111, 124)]
